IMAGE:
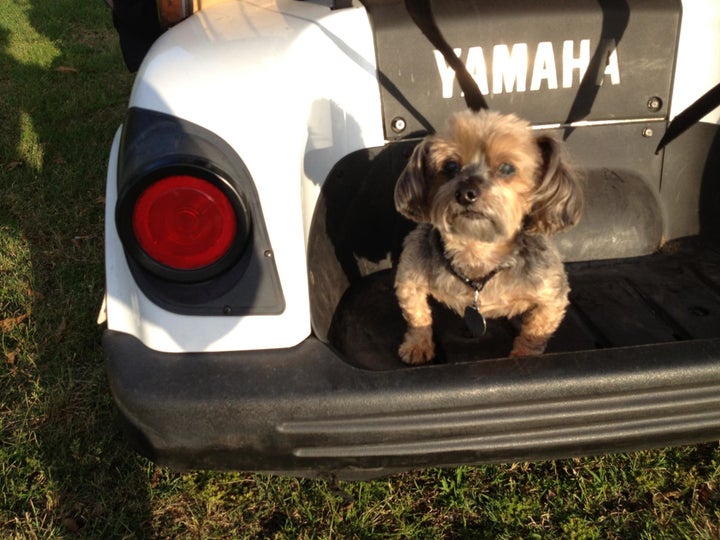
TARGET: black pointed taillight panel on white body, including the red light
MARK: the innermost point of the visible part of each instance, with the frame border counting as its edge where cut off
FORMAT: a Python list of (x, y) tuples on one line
[(190, 220)]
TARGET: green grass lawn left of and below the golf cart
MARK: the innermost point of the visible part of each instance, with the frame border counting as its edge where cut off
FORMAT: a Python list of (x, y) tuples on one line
[(65, 468)]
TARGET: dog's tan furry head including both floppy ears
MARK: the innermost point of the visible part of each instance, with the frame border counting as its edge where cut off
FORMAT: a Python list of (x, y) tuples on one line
[(489, 177)]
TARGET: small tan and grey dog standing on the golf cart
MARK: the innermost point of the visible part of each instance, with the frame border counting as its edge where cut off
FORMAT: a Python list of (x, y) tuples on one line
[(486, 194)]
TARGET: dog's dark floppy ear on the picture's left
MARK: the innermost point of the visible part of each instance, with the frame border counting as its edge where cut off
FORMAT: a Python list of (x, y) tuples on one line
[(410, 189)]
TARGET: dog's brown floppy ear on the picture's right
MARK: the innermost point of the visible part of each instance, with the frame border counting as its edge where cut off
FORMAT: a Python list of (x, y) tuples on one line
[(558, 199)]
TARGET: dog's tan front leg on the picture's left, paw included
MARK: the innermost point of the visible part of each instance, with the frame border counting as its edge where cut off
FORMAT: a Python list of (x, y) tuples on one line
[(417, 346)]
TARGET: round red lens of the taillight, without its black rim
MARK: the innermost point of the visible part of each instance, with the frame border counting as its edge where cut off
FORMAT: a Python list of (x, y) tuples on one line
[(184, 222)]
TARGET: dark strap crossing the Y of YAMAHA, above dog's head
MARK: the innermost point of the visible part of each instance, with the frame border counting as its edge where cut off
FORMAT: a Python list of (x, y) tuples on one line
[(421, 13)]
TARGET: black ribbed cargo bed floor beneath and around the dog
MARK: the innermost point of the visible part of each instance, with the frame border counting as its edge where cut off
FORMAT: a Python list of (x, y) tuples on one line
[(672, 295)]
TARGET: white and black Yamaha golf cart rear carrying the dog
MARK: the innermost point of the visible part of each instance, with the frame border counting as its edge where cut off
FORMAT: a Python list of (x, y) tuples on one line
[(317, 108)]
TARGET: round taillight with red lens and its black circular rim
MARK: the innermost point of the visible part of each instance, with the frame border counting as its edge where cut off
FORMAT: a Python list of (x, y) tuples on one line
[(184, 223)]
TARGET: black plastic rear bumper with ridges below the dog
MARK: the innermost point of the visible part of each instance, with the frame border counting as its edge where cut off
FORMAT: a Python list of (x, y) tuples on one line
[(305, 412)]
